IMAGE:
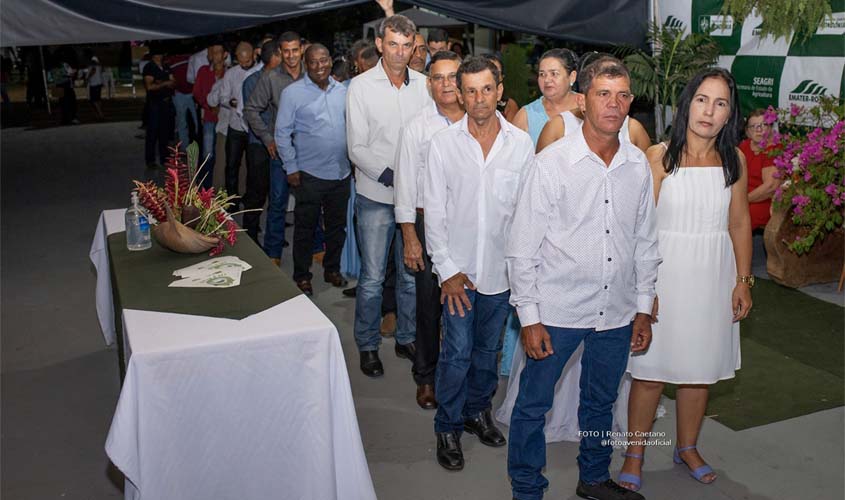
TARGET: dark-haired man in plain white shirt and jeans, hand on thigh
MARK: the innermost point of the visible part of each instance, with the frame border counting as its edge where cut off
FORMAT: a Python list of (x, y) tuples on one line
[(472, 176)]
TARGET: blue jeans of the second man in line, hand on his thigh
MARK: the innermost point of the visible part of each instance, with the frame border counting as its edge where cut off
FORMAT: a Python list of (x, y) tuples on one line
[(465, 378)]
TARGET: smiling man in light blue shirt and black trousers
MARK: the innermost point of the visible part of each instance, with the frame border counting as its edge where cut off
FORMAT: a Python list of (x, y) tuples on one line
[(311, 138)]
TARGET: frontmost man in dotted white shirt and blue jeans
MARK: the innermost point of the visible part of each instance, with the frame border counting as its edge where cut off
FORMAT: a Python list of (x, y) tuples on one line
[(582, 260)]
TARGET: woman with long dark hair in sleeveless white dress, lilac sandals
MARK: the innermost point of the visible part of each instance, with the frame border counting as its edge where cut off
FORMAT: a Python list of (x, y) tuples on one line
[(704, 282)]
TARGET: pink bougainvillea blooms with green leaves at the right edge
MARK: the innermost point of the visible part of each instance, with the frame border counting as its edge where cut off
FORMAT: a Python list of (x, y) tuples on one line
[(809, 155)]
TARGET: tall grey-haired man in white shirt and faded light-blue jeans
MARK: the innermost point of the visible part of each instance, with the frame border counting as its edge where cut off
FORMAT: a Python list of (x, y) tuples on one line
[(378, 104)]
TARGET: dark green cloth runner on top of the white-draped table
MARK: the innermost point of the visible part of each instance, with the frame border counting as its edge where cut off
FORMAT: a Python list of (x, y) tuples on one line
[(140, 279)]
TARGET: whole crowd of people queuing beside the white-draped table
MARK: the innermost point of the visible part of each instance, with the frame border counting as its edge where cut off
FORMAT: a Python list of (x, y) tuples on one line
[(541, 233)]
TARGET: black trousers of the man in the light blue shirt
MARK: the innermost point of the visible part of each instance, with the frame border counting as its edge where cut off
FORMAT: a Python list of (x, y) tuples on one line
[(312, 196)]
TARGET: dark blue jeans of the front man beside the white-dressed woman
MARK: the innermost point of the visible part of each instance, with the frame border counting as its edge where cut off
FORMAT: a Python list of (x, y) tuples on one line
[(602, 366)]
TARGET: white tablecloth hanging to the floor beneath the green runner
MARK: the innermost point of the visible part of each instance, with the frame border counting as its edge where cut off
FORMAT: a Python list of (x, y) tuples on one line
[(259, 408)]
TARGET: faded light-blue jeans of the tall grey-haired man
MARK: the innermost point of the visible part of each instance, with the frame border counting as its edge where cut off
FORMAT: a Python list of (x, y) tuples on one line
[(375, 230)]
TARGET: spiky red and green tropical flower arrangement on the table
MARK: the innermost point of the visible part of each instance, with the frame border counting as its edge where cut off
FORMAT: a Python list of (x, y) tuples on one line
[(203, 210)]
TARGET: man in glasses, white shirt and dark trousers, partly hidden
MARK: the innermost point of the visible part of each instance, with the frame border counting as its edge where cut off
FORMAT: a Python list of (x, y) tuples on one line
[(410, 181)]
